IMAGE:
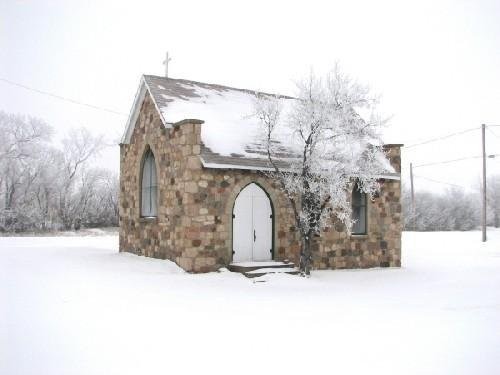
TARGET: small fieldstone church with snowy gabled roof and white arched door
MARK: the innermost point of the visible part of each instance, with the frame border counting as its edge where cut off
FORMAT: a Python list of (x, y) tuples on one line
[(192, 188)]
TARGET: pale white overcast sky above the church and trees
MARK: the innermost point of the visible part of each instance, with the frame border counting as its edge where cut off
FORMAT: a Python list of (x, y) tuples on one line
[(435, 63)]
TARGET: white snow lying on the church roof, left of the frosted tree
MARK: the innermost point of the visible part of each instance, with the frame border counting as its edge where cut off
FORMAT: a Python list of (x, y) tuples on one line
[(230, 127)]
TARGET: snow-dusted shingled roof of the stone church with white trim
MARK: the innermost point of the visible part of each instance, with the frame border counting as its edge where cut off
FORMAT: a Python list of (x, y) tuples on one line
[(230, 134)]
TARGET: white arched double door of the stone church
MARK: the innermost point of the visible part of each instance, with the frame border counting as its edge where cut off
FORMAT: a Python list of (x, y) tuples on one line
[(252, 225)]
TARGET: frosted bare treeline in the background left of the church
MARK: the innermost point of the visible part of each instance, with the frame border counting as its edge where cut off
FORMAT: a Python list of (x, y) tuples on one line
[(44, 187)]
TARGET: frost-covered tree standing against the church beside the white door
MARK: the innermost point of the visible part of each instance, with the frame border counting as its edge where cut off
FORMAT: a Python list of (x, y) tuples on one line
[(329, 150)]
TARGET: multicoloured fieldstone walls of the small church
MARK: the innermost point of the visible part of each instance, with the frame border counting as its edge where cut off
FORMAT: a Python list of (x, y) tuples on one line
[(194, 223)]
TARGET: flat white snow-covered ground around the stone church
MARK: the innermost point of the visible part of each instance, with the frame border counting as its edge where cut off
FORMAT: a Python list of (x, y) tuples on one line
[(73, 305)]
